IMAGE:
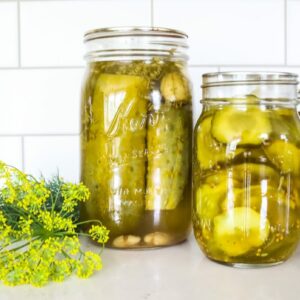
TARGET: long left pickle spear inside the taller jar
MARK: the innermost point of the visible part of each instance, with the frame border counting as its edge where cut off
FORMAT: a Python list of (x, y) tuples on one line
[(117, 180)]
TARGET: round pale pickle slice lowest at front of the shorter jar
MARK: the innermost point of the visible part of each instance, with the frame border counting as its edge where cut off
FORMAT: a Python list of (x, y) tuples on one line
[(239, 230)]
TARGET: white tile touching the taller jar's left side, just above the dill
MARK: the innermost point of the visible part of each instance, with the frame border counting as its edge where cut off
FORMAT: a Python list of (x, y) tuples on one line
[(48, 155)]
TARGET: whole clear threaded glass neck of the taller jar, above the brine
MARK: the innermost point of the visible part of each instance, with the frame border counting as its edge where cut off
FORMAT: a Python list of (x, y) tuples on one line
[(135, 43)]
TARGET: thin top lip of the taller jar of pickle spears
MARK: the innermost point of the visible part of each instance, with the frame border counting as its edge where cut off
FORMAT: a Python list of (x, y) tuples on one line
[(109, 32)]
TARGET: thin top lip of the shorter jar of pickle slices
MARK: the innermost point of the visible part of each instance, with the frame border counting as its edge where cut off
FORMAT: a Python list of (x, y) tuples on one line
[(248, 78)]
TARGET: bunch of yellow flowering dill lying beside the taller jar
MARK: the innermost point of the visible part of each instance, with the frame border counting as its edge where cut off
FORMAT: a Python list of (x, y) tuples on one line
[(39, 230)]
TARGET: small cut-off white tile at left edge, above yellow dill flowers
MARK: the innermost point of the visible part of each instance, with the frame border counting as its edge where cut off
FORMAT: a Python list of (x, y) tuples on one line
[(11, 151)]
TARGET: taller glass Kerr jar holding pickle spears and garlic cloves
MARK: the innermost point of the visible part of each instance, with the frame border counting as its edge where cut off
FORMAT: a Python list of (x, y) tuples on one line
[(136, 128)]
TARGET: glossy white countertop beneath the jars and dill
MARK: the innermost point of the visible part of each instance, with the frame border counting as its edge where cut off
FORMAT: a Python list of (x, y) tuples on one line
[(178, 273)]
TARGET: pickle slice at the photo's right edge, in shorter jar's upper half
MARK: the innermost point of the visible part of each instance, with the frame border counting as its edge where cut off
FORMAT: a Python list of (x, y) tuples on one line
[(285, 155)]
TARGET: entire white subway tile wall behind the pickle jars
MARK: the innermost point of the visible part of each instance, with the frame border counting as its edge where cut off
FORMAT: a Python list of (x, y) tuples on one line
[(41, 99)]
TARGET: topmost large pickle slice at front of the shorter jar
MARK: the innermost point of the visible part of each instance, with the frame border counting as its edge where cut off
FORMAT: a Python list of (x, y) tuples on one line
[(241, 125)]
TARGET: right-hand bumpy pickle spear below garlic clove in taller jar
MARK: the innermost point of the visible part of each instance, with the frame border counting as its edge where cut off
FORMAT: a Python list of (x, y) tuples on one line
[(169, 143)]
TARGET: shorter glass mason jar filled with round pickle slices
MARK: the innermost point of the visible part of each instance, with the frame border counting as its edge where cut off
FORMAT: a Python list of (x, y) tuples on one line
[(246, 168)]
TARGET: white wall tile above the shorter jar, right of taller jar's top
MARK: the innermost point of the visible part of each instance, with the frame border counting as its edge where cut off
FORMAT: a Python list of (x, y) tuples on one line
[(227, 32)]
